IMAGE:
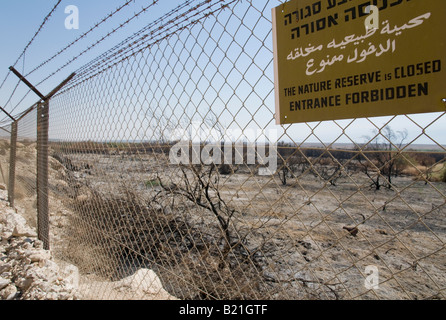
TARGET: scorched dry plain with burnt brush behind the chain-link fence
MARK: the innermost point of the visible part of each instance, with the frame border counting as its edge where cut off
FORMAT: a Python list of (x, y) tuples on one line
[(115, 213)]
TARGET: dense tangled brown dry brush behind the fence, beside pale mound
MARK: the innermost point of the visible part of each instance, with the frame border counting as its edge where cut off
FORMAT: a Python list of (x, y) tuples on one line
[(110, 236)]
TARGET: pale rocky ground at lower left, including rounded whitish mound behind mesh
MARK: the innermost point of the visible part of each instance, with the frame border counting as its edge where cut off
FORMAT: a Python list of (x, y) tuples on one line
[(28, 272)]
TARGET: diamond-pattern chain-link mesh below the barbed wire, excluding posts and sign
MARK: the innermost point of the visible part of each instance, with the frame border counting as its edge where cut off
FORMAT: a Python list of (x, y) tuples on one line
[(169, 179)]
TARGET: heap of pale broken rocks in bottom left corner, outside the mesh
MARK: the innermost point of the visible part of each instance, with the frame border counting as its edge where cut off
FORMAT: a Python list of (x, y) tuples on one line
[(27, 271)]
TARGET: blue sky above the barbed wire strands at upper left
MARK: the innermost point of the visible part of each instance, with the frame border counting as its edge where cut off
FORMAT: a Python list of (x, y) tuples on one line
[(20, 19)]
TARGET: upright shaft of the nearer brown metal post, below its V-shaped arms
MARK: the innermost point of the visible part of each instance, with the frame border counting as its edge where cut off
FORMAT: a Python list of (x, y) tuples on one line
[(42, 173)]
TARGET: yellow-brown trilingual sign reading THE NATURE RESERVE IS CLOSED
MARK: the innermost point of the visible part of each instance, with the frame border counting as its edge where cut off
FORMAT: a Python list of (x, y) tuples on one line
[(344, 59)]
